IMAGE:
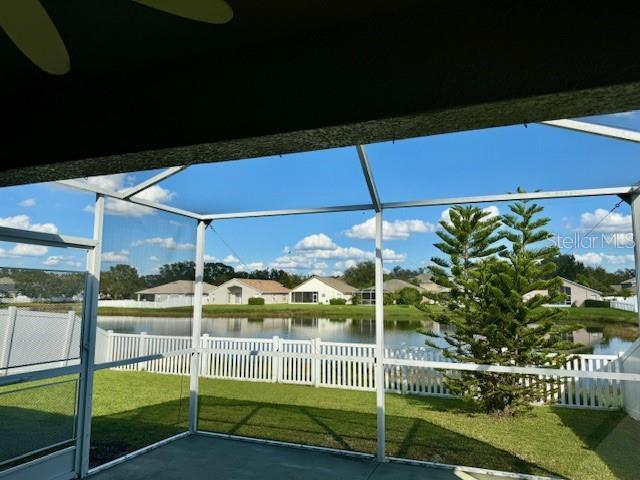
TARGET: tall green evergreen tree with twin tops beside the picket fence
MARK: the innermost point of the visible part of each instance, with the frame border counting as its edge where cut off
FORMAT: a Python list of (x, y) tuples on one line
[(498, 278)]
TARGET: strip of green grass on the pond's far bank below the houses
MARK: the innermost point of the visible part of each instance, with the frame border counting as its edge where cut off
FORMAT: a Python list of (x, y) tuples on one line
[(392, 312)]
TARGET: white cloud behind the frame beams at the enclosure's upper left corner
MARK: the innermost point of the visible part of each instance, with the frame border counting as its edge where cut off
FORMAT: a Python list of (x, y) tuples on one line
[(113, 206)]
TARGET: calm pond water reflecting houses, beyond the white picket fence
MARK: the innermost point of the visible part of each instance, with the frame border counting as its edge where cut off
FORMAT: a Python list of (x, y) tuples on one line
[(397, 333)]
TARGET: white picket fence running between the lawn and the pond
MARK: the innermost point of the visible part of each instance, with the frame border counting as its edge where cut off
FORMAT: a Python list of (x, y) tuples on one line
[(341, 365)]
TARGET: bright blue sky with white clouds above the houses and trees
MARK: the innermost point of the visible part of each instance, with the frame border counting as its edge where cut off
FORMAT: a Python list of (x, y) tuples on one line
[(471, 163)]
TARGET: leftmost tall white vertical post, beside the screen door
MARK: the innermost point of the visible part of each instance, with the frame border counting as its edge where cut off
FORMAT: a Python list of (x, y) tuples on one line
[(88, 345)]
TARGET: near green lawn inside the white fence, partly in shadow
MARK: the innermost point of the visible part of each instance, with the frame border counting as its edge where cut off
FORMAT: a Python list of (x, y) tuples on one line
[(134, 409)]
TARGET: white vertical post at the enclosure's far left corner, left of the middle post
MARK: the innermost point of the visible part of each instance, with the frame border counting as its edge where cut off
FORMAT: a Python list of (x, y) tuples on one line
[(196, 328)]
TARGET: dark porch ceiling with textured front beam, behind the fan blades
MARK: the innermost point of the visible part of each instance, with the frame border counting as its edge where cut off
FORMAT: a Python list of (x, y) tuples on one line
[(148, 89)]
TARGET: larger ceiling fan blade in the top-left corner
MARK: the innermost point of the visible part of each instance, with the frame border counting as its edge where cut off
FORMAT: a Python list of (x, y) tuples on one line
[(28, 25)]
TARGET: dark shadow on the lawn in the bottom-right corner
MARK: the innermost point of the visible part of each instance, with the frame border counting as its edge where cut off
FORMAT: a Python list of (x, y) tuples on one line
[(613, 436)]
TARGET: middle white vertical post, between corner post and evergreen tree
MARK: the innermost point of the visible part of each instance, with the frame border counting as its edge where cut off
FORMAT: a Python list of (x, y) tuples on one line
[(380, 413)]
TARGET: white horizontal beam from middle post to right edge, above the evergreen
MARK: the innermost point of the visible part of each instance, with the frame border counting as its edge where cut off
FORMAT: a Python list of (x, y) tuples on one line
[(509, 197)]
